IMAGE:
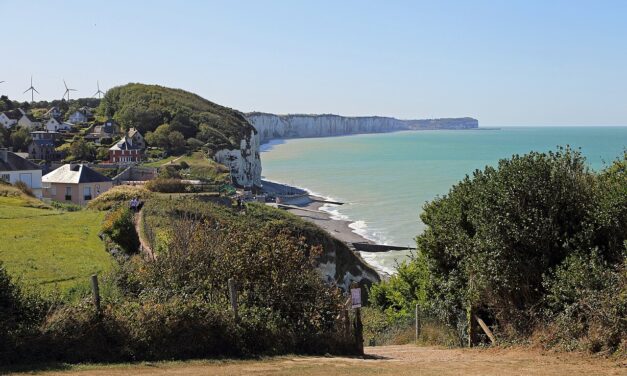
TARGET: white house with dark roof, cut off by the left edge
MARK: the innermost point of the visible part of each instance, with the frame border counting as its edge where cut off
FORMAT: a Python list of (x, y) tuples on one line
[(14, 168)]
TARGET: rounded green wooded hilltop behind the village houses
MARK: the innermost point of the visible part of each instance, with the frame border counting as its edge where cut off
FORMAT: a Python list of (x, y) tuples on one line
[(146, 107)]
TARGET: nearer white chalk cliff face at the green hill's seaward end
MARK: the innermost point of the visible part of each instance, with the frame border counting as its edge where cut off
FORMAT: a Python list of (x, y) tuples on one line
[(244, 162)]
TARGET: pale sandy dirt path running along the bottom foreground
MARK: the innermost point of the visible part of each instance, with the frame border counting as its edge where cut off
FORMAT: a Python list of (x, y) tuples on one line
[(385, 360)]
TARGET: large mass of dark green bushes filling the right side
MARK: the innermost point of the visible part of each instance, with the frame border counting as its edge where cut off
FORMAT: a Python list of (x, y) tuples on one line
[(534, 244)]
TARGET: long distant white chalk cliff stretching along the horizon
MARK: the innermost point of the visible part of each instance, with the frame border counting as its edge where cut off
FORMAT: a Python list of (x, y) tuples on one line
[(270, 126)]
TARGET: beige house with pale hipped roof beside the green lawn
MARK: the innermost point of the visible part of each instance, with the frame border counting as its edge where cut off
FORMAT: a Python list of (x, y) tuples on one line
[(74, 183)]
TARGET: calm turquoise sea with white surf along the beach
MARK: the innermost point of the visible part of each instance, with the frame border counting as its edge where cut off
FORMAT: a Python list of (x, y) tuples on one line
[(385, 179)]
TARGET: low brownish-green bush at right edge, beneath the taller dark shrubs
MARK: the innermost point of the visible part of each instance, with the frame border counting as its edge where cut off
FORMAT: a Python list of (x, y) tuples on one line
[(586, 305)]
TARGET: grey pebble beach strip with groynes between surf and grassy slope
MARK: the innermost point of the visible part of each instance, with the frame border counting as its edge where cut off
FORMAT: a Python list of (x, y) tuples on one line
[(312, 212)]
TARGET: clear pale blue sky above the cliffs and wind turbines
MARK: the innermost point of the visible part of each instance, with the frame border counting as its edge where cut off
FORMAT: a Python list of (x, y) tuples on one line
[(503, 62)]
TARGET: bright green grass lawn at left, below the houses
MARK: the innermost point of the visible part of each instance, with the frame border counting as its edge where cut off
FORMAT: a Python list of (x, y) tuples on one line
[(51, 249)]
